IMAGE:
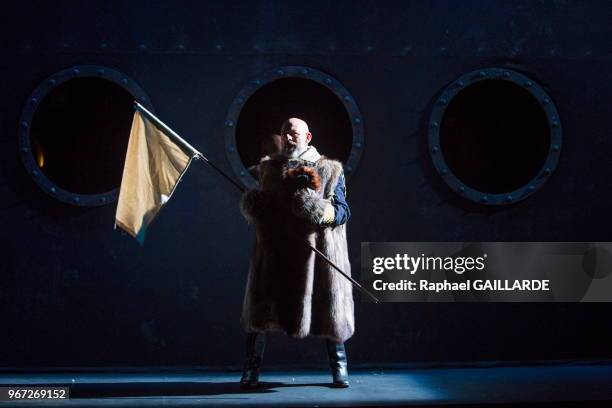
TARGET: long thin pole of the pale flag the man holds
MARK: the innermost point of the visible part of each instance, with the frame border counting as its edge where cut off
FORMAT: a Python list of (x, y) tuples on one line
[(189, 149)]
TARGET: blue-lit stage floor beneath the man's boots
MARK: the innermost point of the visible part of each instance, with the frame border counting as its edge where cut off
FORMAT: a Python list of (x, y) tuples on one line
[(549, 385)]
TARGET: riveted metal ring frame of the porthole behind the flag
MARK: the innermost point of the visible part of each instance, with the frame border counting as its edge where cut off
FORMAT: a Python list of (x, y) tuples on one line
[(29, 110)]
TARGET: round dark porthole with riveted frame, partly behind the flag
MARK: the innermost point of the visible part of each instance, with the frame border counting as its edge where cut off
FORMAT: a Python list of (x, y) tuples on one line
[(74, 132)]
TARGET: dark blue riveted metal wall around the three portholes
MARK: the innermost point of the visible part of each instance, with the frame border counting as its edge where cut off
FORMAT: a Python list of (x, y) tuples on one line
[(75, 292)]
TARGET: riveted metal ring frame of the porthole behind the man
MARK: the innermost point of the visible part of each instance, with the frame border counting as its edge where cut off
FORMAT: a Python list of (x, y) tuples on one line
[(292, 71)]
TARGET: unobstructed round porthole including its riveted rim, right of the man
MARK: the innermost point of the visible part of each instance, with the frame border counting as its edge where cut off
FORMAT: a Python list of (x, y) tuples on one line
[(494, 136)]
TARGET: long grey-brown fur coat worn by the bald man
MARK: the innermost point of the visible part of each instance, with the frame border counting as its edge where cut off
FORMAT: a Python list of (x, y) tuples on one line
[(288, 287)]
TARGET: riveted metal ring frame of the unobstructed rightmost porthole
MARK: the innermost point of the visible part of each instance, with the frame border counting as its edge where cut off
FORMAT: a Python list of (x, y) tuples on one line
[(539, 95)]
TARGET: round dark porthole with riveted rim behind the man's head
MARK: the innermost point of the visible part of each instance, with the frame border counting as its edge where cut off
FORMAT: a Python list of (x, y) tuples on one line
[(257, 113)]
